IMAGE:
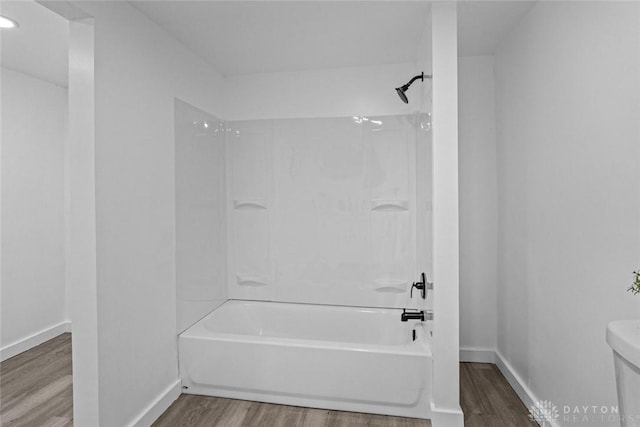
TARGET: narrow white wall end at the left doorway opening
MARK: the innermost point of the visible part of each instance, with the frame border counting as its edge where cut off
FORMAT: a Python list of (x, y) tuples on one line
[(81, 252)]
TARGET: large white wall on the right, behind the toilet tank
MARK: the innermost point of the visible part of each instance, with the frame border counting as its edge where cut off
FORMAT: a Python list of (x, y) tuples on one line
[(568, 132)]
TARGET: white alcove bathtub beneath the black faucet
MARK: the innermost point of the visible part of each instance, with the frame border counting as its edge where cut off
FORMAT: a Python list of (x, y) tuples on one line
[(345, 358)]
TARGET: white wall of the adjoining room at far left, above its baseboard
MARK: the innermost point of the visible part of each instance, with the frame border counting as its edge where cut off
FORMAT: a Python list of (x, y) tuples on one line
[(34, 115)]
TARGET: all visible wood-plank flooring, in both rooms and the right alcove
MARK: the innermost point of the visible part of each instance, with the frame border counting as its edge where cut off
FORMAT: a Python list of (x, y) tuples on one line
[(36, 391)]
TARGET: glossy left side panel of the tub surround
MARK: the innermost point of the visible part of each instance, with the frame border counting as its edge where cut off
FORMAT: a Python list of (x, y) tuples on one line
[(200, 214)]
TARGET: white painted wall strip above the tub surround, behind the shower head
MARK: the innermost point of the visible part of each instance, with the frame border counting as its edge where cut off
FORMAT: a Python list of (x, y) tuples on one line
[(357, 91)]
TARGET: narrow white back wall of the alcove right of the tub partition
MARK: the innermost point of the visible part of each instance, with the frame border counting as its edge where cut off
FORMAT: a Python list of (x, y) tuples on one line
[(478, 204)]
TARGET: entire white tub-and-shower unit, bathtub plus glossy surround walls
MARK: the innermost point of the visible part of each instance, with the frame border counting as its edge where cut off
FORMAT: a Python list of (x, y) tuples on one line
[(310, 221)]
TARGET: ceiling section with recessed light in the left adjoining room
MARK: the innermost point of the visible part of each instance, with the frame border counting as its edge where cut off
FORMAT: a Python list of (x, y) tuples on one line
[(39, 47)]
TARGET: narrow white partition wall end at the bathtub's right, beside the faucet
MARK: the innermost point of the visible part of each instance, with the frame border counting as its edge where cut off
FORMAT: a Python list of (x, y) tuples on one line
[(446, 410)]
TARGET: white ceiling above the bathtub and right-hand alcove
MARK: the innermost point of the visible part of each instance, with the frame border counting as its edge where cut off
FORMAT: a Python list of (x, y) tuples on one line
[(244, 37)]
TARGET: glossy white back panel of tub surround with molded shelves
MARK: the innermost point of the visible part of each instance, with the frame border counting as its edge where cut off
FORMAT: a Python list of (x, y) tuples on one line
[(324, 210)]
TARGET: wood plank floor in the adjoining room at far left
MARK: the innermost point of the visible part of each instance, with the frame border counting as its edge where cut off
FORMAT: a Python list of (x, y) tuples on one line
[(36, 387)]
